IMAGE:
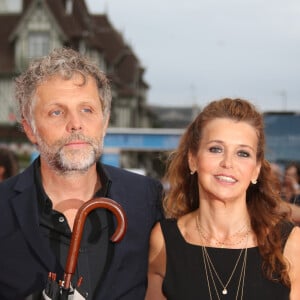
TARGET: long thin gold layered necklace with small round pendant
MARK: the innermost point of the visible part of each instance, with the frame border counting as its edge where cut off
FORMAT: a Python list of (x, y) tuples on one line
[(211, 272)]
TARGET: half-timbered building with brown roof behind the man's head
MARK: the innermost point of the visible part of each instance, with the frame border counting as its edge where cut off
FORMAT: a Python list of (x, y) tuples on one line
[(39, 26)]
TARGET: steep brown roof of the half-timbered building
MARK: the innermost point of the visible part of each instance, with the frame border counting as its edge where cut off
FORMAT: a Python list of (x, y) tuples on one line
[(96, 30)]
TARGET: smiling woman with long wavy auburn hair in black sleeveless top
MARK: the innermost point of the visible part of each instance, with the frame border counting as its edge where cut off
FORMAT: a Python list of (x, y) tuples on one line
[(224, 236)]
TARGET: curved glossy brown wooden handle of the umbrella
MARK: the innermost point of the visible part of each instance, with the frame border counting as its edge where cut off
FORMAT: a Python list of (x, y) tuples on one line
[(79, 222)]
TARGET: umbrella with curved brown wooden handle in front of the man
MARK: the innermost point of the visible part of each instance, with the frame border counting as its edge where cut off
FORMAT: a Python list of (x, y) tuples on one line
[(62, 289)]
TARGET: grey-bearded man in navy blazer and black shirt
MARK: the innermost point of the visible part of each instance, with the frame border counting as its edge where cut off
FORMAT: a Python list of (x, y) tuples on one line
[(64, 103)]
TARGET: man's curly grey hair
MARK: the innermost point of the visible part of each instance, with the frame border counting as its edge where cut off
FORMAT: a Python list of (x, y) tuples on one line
[(64, 62)]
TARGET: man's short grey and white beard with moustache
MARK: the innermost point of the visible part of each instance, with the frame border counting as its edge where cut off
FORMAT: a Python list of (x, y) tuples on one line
[(68, 161)]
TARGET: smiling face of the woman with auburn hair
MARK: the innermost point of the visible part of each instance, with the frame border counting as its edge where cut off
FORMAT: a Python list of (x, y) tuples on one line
[(226, 160)]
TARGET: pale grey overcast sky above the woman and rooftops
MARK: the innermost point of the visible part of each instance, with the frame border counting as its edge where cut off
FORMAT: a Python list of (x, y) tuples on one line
[(195, 51)]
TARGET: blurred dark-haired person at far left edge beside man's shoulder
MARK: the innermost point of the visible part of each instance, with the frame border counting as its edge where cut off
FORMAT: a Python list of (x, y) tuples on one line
[(9, 164)]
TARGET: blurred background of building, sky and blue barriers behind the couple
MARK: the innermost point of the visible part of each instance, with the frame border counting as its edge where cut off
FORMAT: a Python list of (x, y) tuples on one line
[(165, 60)]
